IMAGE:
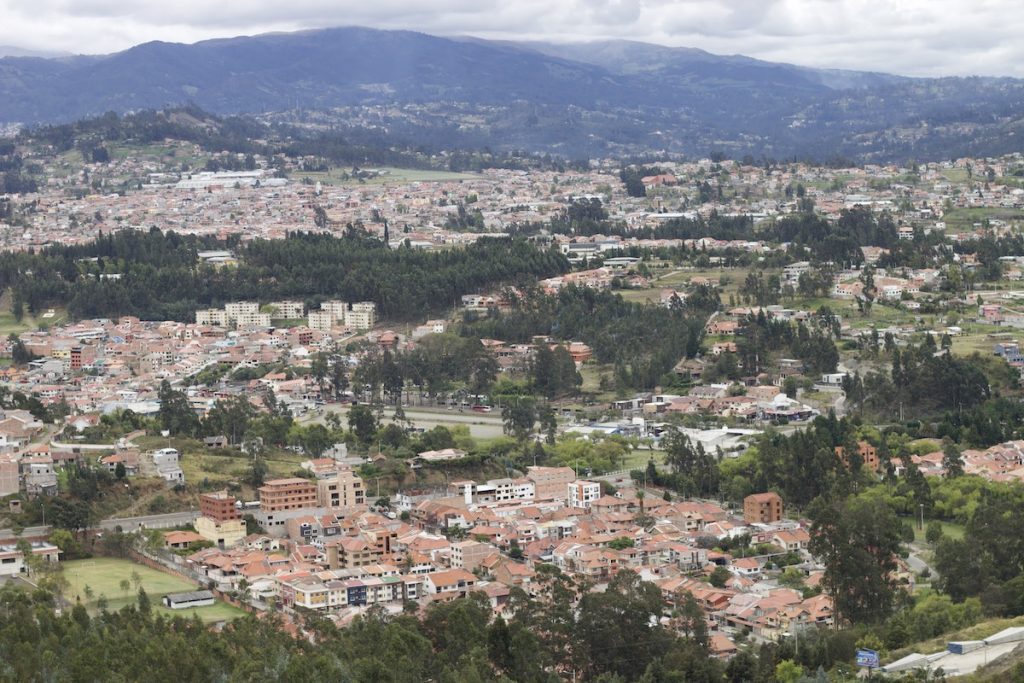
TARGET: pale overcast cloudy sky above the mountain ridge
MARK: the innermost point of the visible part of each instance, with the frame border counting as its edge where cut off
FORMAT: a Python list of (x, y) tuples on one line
[(911, 37)]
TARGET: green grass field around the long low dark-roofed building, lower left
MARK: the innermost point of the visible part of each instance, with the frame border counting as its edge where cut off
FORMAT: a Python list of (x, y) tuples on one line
[(104, 576)]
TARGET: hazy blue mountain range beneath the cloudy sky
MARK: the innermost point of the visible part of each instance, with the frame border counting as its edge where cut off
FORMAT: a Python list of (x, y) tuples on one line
[(611, 98)]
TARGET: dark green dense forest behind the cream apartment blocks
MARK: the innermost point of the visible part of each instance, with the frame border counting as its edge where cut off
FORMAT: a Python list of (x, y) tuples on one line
[(159, 277)]
